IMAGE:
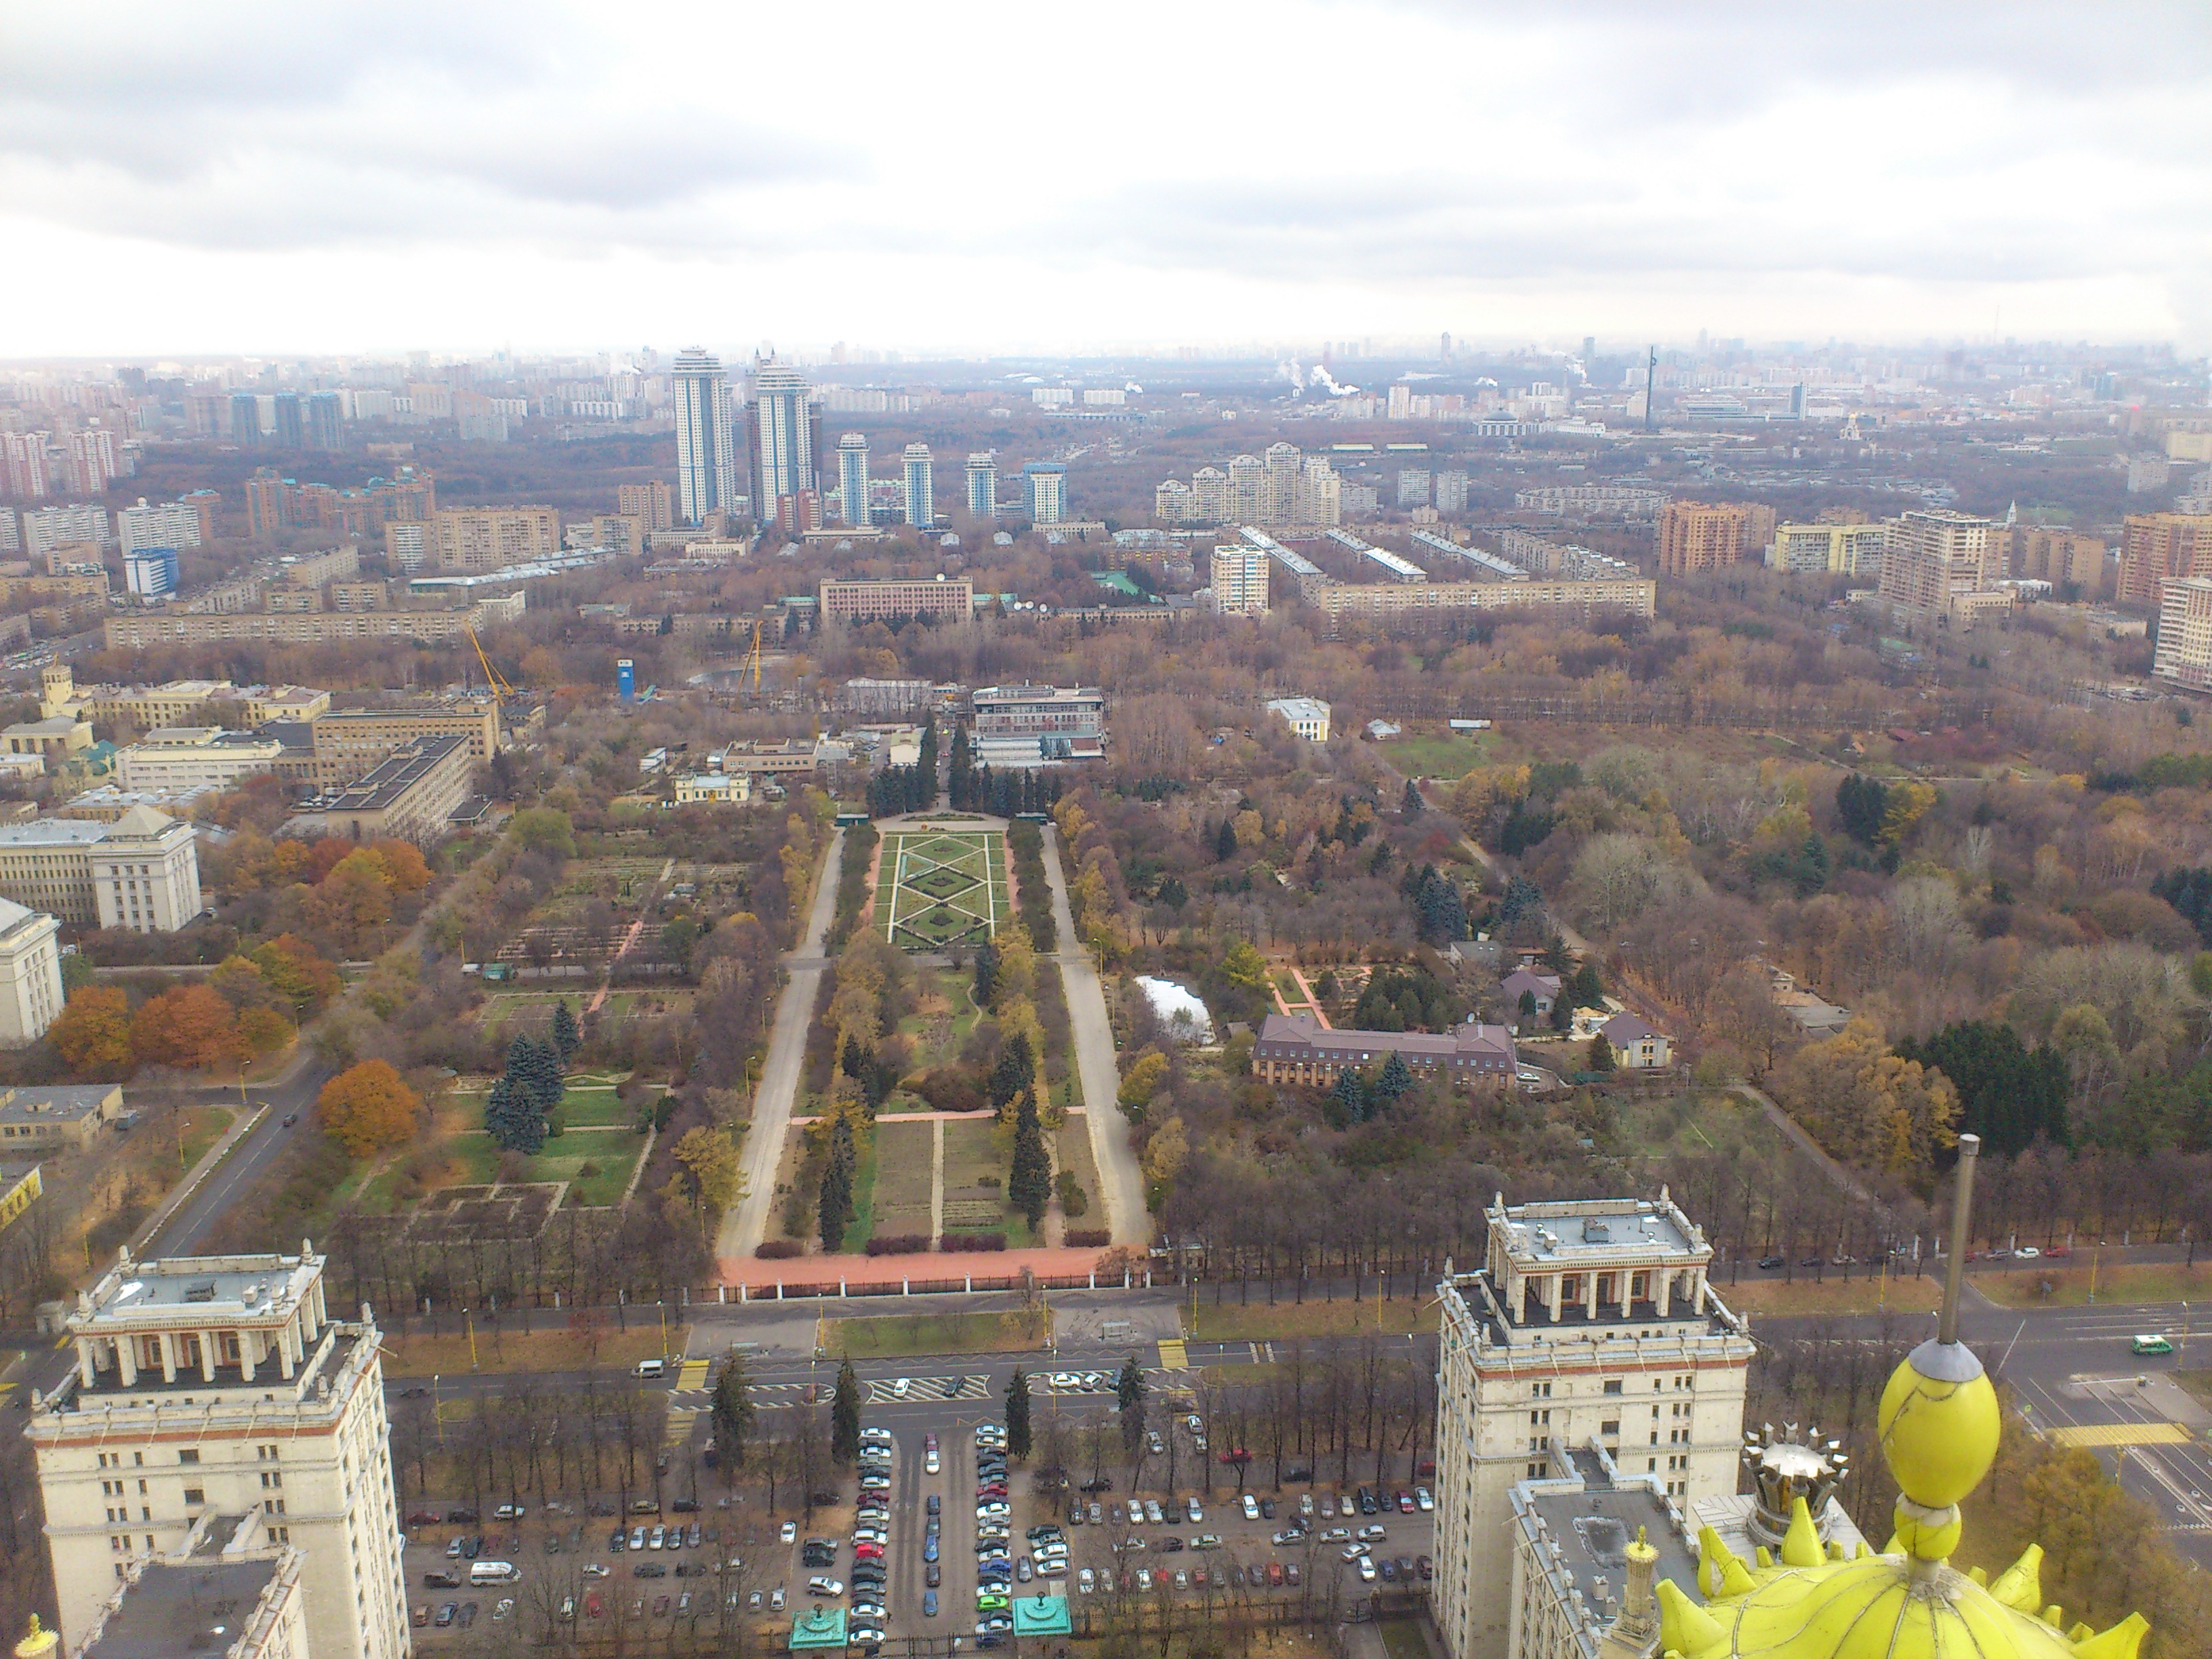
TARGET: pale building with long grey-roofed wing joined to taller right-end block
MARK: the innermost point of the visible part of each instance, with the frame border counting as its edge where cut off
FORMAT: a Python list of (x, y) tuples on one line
[(138, 873)]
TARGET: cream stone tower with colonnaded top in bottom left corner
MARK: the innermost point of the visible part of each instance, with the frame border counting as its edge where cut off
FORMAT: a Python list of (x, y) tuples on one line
[(222, 1386)]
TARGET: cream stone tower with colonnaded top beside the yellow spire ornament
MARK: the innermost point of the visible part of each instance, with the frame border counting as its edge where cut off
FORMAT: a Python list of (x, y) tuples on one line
[(1589, 1326)]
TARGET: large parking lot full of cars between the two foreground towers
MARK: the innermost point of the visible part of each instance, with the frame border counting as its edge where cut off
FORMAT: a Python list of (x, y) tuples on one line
[(935, 1534)]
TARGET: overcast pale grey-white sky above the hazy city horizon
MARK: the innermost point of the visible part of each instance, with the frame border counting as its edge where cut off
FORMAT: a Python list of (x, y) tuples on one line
[(981, 178)]
